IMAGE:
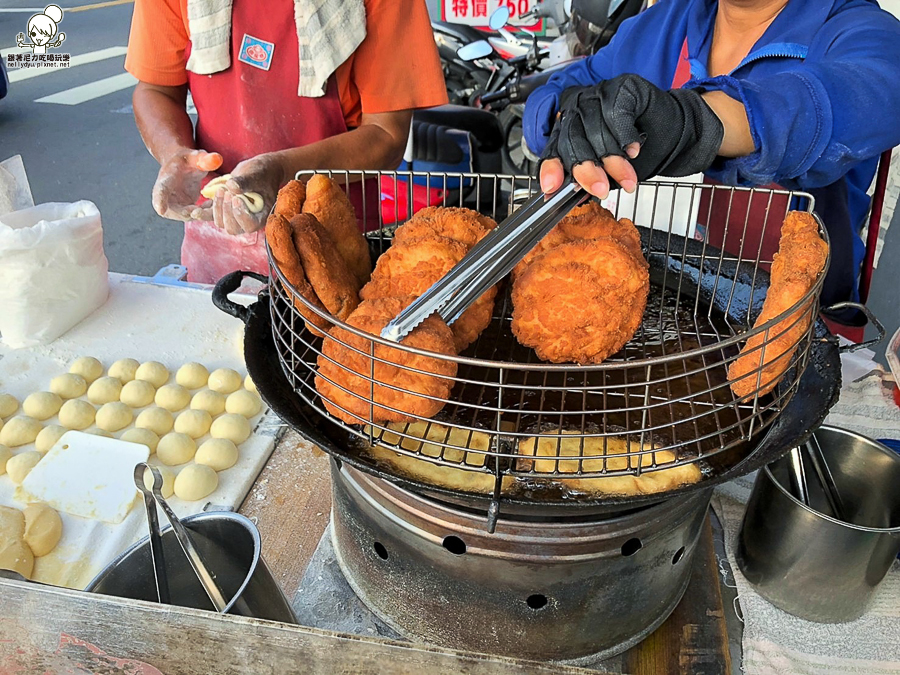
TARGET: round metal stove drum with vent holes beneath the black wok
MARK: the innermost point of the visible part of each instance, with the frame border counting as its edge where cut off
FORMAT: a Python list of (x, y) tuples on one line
[(546, 588)]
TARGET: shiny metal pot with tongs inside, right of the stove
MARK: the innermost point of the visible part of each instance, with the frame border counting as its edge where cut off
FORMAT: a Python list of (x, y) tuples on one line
[(808, 563)]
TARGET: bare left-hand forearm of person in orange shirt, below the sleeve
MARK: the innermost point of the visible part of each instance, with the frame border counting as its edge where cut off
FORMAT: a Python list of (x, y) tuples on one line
[(162, 119)]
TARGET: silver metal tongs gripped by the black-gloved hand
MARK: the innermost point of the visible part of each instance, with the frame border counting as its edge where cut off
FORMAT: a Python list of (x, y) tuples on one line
[(490, 260)]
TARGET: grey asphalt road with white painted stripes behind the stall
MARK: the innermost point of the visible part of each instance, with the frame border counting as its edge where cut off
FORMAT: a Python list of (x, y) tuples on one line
[(83, 144)]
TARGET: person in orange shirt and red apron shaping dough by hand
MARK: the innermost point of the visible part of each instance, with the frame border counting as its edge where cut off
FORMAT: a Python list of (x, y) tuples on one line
[(251, 115)]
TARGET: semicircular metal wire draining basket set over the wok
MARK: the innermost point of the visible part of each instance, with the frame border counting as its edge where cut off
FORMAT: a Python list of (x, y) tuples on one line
[(666, 390)]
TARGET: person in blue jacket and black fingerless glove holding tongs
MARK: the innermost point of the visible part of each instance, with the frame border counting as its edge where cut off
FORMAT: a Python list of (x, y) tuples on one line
[(794, 93)]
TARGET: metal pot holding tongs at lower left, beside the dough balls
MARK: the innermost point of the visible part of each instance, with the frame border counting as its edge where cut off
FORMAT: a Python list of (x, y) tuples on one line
[(230, 546)]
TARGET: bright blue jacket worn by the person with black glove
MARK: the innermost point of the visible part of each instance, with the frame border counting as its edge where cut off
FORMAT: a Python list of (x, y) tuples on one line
[(822, 92)]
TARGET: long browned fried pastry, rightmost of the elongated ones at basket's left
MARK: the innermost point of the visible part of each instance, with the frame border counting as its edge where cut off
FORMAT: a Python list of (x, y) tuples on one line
[(330, 205)]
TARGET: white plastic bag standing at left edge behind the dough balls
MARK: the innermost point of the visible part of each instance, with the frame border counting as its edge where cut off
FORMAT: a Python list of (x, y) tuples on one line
[(53, 271)]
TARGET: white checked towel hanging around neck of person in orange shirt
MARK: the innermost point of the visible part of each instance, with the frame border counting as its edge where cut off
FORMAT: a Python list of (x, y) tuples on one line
[(328, 32)]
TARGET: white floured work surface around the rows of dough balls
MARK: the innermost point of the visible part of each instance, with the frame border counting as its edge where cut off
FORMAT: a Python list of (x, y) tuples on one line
[(170, 324)]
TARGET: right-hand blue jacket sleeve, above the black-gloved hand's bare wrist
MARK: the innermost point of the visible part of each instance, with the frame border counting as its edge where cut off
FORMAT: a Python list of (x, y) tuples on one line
[(811, 124)]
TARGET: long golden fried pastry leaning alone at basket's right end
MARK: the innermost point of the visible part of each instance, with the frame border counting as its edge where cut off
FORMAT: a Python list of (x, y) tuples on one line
[(800, 259)]
